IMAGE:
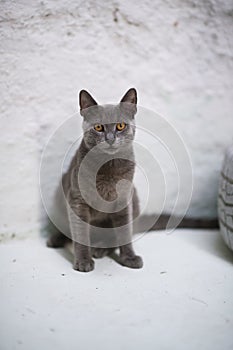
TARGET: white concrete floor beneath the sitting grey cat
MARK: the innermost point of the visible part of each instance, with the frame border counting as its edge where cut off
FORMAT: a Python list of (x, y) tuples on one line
[(181, 299)]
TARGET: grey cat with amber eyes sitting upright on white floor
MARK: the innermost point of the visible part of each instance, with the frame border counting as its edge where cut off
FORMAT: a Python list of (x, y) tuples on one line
[(108, 135)]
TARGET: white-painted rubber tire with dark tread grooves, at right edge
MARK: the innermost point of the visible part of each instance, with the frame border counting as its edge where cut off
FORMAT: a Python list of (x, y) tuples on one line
[(225, 199)]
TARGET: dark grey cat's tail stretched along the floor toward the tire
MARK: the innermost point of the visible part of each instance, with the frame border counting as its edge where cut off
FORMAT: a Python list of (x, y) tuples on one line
[(187, 222)]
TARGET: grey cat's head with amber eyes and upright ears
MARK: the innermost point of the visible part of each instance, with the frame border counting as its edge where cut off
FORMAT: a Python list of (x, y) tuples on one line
[(110, 127)]
